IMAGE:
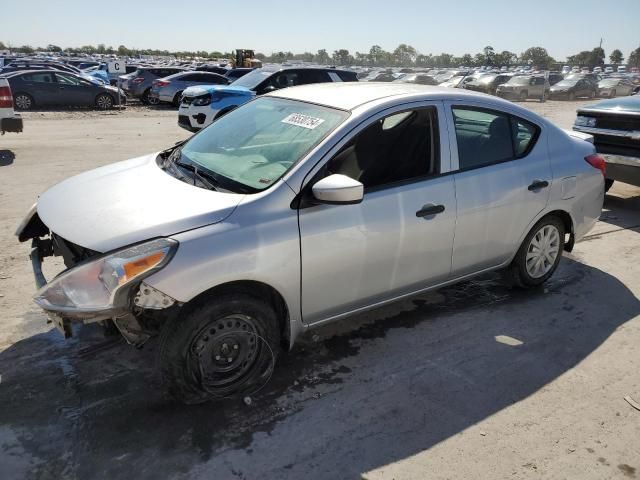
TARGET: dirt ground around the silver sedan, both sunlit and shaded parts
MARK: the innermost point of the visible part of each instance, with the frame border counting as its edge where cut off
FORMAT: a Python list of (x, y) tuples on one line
[(472, 381)]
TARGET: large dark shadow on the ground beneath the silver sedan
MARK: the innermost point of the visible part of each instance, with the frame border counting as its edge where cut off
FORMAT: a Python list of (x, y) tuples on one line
[(353, 396)]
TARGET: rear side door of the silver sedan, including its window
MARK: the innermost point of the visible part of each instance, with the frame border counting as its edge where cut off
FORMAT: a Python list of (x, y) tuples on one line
[(502, 180)]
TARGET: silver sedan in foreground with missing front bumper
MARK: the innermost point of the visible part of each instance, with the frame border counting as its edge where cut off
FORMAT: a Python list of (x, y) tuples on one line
[(303, 207)]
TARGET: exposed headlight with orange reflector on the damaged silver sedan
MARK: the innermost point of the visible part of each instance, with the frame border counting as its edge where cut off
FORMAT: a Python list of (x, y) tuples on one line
[(102, 284)]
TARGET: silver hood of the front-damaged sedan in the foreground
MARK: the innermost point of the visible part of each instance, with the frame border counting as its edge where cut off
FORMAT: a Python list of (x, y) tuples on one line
[(129, 202)]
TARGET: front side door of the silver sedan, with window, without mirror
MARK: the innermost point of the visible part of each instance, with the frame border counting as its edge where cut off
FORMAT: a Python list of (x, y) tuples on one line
[(399, 239)]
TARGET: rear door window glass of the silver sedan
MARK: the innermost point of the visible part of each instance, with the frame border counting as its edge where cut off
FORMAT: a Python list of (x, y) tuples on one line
[(486, 137)]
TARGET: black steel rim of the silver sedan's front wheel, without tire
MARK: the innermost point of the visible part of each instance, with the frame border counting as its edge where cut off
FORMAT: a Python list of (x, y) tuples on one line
[(225, 351)]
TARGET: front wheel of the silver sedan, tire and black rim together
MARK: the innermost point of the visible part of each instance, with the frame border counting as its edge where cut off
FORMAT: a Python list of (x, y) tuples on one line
[(224, 347)]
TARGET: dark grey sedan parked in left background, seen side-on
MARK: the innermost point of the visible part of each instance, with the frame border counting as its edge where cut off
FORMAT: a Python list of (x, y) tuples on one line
[(54, 88)]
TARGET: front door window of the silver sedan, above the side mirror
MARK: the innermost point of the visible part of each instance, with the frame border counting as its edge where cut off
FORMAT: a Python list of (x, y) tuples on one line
[(397, 148)]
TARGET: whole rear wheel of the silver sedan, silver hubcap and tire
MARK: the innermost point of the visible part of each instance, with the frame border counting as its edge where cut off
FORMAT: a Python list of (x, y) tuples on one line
[(540, 253)]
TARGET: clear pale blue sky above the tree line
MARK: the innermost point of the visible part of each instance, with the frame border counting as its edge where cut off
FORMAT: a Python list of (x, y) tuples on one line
[(563, 27)]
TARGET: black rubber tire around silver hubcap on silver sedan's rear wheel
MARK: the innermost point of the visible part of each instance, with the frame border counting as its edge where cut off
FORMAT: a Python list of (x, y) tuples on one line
[(518, 273)]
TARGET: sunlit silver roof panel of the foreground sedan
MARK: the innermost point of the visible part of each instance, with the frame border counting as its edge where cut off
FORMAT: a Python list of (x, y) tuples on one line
[(349, 95)]
